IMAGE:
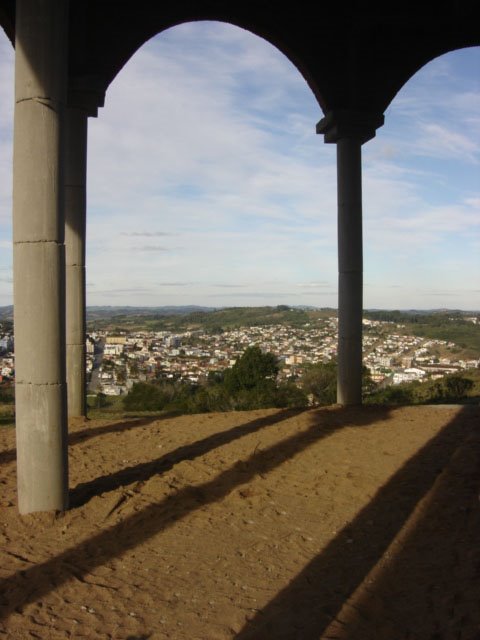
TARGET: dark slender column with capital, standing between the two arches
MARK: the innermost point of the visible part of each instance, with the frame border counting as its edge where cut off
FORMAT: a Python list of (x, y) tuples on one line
[(349, 130)]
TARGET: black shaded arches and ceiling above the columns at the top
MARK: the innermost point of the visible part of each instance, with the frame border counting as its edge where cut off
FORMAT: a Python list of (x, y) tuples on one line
[(352, 56)]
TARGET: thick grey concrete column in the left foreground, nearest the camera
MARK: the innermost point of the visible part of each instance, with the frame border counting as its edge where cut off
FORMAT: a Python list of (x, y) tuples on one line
[(39, 257)]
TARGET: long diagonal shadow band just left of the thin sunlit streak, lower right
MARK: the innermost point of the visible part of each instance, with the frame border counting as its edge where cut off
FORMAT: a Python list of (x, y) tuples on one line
[(306, 607)]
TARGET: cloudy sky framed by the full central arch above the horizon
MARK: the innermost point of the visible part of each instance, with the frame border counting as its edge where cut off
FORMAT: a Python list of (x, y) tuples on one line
[(205, 170)]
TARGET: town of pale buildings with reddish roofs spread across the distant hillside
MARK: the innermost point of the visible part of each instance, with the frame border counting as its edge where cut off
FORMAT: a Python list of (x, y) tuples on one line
[(391, 356)]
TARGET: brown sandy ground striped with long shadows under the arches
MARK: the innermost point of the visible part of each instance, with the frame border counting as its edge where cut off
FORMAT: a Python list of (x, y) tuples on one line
[(329, 523)]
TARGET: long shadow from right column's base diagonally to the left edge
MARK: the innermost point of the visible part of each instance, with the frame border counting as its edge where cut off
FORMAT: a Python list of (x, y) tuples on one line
[(37, 581)]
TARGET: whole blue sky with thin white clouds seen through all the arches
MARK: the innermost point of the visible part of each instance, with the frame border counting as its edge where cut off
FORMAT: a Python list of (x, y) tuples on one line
[(207, 184)]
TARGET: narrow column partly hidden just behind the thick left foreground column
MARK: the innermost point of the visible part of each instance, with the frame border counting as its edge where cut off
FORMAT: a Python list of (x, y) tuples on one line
[(75, 231)]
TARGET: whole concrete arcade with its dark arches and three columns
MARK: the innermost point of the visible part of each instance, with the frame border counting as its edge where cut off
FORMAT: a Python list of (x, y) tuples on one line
[(355, 58)]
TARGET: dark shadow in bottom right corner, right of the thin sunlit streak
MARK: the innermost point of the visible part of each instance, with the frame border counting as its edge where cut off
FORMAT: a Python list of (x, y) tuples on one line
[(429, 587)]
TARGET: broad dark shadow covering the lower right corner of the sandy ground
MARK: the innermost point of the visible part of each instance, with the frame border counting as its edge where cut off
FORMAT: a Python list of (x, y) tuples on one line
[(431, 591)]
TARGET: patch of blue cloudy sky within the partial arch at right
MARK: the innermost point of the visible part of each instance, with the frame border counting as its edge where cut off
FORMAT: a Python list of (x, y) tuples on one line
[(422, 201)]
